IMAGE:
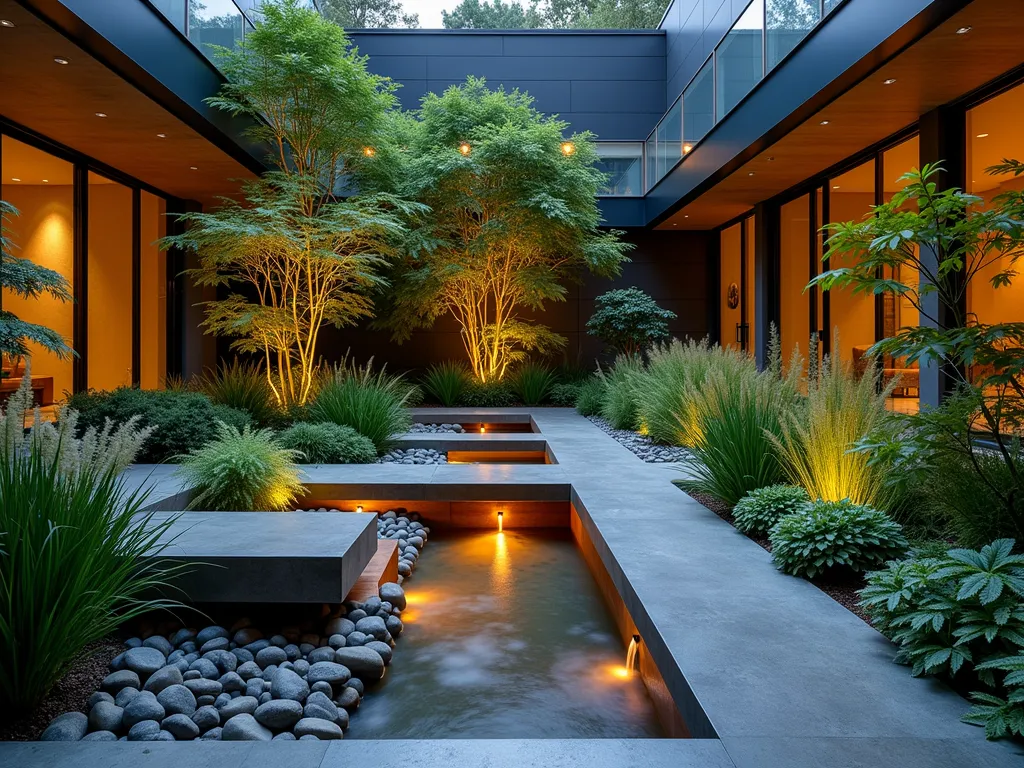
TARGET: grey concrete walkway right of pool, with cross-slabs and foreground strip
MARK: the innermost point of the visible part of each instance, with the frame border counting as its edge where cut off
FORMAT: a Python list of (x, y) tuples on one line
[(778, 671)]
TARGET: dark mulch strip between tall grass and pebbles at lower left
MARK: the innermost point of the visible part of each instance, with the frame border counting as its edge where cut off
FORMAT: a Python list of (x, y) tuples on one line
[(71, 694)]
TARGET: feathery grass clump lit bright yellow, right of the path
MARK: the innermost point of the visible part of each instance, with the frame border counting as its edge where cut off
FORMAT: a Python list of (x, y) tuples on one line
[(819, 434)]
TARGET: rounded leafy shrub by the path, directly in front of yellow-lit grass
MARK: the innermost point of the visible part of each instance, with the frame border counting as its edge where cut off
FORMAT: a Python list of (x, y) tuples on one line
[(830, 538)]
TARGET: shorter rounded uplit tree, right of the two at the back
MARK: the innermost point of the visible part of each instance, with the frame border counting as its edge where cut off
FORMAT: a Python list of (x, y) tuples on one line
[(515, 218)]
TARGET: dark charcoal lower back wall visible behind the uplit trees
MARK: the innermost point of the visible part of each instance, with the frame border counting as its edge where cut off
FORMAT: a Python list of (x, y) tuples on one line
[(671, 267)]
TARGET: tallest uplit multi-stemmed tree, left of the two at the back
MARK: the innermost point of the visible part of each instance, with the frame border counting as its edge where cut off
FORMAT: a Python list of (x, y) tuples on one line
[(296, 257)]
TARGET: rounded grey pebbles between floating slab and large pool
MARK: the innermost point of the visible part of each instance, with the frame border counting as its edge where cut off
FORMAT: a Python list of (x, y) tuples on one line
[(246, 682)]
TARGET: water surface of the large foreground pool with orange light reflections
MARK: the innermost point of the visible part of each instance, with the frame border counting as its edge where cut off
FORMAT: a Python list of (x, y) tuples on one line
[(506, 637)]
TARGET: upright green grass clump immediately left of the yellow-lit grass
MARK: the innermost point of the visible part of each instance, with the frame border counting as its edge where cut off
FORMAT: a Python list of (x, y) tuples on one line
[(734, 414)]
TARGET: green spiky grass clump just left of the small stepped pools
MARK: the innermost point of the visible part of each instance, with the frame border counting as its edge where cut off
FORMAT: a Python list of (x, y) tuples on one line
[(372, 404)]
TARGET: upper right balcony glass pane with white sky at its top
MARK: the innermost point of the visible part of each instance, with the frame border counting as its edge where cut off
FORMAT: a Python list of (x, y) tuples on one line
[(740, 59)]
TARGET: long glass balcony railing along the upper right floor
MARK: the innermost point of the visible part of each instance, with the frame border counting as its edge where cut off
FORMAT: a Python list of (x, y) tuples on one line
[(765, 34)]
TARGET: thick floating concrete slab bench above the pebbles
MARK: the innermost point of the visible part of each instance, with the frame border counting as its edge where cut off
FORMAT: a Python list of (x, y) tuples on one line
[(269, 557)]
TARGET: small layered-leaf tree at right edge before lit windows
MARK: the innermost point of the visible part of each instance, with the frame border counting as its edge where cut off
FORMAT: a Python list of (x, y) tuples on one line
[(948, 239)]
